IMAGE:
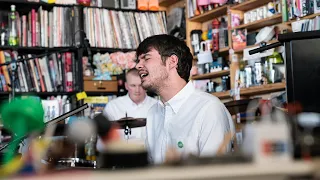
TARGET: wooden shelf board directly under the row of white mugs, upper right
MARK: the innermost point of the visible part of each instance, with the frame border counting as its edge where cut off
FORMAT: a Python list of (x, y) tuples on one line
[(275, 19)]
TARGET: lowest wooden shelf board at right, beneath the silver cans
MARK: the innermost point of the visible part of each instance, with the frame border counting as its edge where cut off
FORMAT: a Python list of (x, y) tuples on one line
[(263, 89)]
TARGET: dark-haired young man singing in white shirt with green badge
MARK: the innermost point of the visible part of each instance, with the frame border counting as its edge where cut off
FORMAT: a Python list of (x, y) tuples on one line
[(185, 119)]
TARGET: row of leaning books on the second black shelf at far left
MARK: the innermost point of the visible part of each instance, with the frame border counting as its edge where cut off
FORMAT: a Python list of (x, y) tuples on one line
[(53, 73)]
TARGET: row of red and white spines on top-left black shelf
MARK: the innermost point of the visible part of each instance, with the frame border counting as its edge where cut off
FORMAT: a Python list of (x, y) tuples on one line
[(46, 28)]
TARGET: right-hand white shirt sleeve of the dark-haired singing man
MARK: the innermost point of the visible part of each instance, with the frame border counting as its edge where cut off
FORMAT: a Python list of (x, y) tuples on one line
[(213, 128)]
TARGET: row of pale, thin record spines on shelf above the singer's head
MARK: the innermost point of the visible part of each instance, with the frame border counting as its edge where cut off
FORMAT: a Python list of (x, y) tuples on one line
[(117, 29)]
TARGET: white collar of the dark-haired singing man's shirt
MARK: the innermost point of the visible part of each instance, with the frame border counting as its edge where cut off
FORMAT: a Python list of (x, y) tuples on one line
[(177, 101)]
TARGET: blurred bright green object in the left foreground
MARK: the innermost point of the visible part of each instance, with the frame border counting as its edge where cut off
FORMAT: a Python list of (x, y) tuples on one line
[(21, 117)]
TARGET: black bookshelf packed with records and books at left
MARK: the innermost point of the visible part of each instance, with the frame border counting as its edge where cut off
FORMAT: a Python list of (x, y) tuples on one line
[(69, 38)]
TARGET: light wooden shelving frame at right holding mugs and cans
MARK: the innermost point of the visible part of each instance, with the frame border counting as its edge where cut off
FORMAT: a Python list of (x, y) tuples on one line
[(201, 21)]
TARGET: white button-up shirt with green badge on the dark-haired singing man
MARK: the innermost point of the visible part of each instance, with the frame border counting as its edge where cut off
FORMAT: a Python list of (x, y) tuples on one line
[(191, 122)]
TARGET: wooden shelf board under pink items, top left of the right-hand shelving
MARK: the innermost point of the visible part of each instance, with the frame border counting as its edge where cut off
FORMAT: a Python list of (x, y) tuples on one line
[(207, 16)]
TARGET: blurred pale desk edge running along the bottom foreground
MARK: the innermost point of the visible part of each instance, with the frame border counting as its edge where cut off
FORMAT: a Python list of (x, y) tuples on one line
[(230, 171)]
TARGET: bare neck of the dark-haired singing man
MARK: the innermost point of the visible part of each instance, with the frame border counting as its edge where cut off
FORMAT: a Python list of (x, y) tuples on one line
[(169, 90)]
